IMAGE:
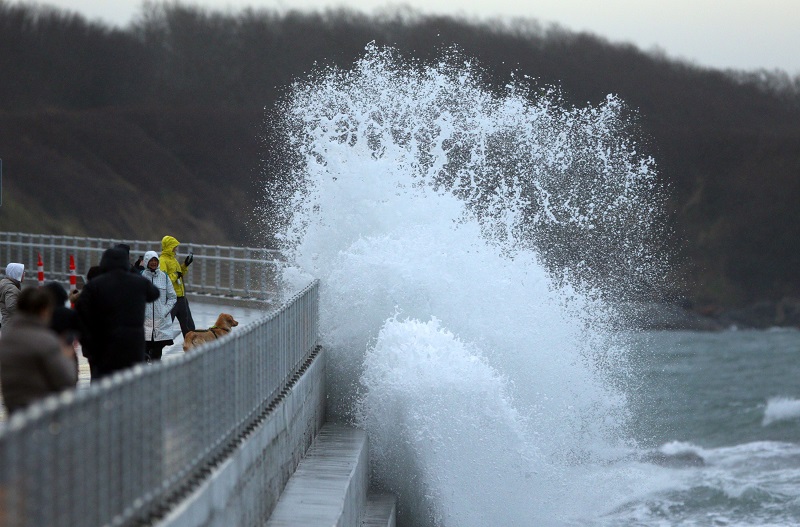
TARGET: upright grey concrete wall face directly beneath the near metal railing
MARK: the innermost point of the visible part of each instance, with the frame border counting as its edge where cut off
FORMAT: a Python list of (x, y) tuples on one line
[(244, 488)]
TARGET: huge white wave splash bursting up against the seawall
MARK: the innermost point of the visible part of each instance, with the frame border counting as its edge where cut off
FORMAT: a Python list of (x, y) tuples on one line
[(425, 197)]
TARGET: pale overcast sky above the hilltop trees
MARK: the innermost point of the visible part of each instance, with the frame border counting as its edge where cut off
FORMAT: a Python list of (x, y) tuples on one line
[(740, 34)]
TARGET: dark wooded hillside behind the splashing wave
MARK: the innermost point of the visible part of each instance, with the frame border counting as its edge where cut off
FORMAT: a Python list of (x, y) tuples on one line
[(159, 127)]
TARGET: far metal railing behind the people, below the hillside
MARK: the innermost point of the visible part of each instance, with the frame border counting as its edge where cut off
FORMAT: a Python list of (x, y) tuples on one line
[(245, 272)]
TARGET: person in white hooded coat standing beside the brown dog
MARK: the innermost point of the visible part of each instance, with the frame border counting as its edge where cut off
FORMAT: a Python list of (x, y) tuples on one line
[(157, 319)]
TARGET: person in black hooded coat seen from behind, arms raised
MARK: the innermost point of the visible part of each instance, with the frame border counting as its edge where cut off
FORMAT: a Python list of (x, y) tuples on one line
[(111, 311)]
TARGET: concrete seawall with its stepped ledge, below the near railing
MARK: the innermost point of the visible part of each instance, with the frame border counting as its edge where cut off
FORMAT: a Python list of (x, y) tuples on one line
[(292, 469)]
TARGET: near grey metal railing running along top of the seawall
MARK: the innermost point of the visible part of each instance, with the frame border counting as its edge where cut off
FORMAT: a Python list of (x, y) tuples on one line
[(117, 452)]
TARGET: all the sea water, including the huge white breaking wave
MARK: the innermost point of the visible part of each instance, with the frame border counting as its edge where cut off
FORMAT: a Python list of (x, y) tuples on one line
[(472, 245)]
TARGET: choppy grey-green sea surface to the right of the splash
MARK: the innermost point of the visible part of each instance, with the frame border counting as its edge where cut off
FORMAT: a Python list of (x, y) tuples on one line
[(730, 401)]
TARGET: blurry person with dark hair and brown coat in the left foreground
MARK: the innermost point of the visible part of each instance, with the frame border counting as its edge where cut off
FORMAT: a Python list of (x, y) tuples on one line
[(32, 362)]
